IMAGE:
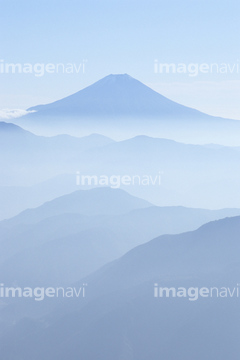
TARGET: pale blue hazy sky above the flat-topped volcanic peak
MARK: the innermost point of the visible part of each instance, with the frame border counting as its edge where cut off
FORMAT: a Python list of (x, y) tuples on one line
[(122, 36)]
